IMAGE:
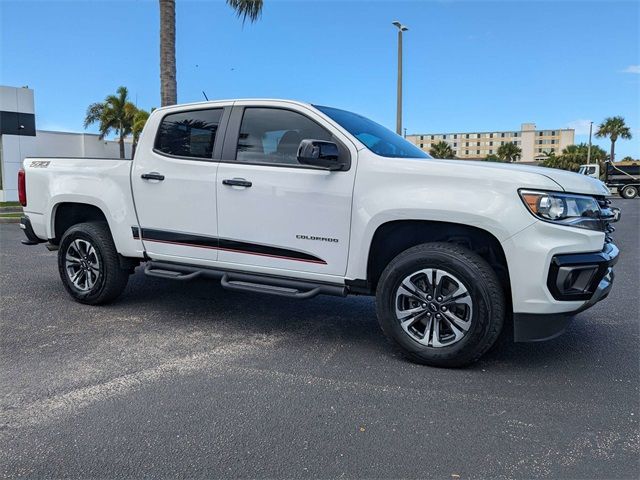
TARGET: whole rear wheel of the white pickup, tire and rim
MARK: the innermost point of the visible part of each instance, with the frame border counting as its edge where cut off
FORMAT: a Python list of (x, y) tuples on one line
[(87, 252)]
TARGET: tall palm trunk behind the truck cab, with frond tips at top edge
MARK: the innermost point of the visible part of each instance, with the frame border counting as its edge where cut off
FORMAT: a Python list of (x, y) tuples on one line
[(247, 9)]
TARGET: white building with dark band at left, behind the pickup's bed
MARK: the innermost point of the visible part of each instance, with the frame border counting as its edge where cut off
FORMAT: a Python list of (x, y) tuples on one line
[(20, 139)]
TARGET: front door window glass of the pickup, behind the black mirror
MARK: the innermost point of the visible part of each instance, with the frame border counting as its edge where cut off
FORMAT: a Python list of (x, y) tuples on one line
[(273, 135)]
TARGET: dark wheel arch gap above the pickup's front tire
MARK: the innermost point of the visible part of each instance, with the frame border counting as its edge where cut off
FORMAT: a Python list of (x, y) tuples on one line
[(394, 237)]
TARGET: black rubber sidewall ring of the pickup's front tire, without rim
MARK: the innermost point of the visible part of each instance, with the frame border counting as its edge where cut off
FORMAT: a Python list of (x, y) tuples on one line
[(464, 350)]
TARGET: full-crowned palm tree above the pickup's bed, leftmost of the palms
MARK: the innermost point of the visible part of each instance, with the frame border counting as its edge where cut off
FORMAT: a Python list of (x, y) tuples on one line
[(114, 114)]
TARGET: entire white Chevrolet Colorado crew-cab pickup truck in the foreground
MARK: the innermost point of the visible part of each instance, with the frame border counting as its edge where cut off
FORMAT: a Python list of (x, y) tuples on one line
[(293, 199)]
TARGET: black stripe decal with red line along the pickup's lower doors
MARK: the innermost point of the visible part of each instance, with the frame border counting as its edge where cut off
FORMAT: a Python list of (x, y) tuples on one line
[(216, 243)]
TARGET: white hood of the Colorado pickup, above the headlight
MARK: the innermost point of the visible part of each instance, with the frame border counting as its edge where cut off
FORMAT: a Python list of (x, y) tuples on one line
[(567, 181)]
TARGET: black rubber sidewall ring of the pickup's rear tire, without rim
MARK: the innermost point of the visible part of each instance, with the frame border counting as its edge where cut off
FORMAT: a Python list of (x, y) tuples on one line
[(72, 234)]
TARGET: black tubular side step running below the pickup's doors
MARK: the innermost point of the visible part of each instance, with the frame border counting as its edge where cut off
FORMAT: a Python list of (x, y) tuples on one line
[(246, 282)]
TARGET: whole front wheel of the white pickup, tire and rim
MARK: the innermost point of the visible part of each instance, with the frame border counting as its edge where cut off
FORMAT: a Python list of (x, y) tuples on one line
[(480, 310)]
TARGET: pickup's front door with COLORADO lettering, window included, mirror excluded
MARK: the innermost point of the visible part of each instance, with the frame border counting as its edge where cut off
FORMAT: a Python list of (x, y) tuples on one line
[(272, 211)]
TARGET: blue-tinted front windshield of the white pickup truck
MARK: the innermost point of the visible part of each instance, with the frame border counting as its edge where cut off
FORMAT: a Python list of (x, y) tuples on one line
[(376, 138)]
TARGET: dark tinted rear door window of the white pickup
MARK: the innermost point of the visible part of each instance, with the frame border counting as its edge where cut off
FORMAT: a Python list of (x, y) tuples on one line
[(189, 134)]
